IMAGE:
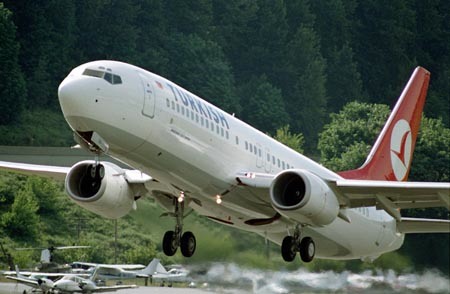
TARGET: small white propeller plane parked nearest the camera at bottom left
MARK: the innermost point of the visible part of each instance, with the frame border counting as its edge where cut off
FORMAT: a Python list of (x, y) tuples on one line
[(77, 284)]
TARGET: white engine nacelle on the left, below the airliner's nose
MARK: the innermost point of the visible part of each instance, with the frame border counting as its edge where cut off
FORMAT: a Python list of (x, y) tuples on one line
[(109, 196)]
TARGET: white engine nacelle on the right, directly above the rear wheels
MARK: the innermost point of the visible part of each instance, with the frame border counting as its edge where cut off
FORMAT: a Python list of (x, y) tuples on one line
[(304, 197)]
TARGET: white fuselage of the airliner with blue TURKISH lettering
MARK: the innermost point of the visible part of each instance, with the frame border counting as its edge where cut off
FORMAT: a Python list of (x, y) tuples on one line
[(192, 146)]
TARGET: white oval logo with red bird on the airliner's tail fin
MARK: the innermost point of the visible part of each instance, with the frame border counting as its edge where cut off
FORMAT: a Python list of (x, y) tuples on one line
[(401, 145)]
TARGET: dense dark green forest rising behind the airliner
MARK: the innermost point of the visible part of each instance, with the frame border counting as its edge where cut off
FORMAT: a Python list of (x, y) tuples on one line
[(281, 66)]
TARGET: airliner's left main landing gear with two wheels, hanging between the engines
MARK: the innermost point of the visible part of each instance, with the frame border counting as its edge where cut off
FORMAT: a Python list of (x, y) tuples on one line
[(176, 238)]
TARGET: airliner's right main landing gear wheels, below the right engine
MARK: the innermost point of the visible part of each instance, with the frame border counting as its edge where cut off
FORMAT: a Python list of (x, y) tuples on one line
[(293, 244)]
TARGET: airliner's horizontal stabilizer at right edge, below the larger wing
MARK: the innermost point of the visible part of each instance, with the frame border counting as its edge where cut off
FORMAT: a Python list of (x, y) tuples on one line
[(420, 225)]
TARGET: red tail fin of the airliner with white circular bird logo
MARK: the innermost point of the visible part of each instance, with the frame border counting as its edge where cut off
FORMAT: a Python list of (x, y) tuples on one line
[(391, 156)]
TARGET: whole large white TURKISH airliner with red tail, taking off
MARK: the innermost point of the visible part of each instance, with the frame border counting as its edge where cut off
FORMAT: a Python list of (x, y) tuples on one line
[(190, 155)]
